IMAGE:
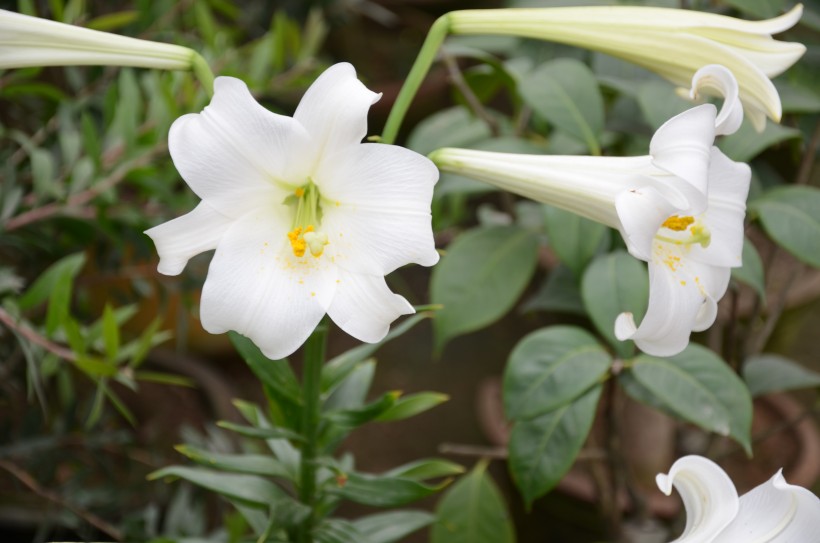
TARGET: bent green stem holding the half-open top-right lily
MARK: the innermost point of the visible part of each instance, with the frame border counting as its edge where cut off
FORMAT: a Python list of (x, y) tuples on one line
[(427, 54)]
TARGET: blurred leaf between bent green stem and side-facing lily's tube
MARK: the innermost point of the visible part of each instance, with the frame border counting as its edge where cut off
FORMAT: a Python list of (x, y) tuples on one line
[(453, 127)]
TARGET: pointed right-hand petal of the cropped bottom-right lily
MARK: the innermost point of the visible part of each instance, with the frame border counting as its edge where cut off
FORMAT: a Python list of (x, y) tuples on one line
[(775, 512)]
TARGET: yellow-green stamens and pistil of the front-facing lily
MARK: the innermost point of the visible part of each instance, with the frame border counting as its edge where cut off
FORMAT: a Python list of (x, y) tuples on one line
[(307, 218)]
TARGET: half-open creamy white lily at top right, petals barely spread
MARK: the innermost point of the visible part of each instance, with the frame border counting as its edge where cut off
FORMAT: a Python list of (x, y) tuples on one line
[(674, 43)]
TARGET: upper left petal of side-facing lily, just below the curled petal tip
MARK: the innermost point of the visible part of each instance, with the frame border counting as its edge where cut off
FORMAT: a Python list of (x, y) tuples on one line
[(682, 147)]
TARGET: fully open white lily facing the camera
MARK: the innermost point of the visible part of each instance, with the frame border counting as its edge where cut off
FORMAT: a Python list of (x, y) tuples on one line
[(305, 219)]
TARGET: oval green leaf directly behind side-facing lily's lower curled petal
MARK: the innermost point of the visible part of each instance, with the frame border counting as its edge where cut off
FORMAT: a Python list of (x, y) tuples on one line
[(612, 284)]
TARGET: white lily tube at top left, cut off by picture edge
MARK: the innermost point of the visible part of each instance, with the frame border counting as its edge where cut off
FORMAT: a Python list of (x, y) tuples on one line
[(30, 41)]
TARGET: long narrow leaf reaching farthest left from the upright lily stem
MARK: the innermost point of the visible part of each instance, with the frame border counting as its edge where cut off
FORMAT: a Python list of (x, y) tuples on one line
[(248, 489)]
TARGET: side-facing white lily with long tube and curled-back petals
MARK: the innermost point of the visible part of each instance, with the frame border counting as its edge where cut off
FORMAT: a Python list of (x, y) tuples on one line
[(680, 209)]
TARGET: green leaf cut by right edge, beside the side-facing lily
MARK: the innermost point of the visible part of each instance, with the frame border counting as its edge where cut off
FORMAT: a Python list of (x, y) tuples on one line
[(791, 217)]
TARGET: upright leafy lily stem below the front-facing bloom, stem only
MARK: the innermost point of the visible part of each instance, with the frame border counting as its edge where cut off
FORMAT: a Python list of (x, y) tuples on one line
[(314, 359)]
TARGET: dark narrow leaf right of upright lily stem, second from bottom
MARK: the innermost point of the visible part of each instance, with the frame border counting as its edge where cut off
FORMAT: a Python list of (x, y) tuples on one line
[(382, 490)]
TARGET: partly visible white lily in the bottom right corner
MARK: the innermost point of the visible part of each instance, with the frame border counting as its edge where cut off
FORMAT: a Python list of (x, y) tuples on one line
[(774, 512)]
